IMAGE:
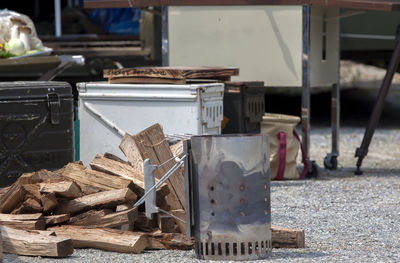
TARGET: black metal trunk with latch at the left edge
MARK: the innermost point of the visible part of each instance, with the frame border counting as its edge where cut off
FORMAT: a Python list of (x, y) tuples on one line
[(36, 127)]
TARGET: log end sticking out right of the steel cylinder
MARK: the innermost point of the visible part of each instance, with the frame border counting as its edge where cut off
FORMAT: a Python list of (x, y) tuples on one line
[(287, 237)]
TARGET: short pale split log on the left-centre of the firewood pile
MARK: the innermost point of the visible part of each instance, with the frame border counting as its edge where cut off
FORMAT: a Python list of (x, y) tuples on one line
[(62, 189)]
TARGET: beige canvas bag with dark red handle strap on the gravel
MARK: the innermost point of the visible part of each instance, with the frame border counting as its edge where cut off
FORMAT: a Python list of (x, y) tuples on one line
[(284, 146)]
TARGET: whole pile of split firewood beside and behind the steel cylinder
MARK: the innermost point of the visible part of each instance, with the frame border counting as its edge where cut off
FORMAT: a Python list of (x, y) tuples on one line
[(49, 213)]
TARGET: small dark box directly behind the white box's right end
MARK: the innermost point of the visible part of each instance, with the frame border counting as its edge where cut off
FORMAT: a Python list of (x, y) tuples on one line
[(244, 106)]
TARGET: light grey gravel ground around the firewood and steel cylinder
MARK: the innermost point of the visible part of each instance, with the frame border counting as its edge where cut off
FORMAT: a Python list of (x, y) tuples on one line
[(346, 218)]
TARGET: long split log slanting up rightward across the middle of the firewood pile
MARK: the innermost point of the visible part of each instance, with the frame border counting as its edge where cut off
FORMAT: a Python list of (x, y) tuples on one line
[(102, 199)]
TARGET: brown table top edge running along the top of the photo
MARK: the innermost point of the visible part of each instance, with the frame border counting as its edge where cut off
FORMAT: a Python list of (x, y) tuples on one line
[(381, 5)]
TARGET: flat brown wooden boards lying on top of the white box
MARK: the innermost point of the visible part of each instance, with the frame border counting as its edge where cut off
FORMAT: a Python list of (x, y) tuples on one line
[(169, 75)]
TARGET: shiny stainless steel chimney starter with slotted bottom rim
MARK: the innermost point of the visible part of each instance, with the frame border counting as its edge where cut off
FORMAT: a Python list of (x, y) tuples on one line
[(231, 196)]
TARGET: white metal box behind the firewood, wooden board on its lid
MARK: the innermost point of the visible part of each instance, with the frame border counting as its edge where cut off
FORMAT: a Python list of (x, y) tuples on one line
[(107, 111)]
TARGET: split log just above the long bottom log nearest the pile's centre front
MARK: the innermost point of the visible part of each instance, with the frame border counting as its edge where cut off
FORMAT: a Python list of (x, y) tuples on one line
[(97, 219)]
